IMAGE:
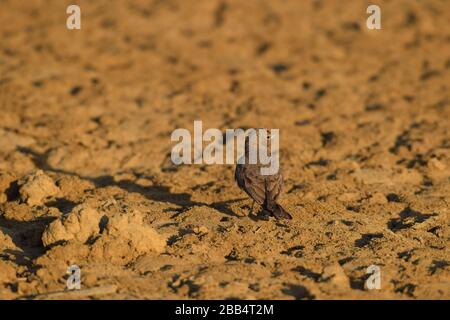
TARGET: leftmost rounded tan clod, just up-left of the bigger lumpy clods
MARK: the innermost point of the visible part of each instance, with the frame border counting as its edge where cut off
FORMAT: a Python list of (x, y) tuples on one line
[(35, 187)]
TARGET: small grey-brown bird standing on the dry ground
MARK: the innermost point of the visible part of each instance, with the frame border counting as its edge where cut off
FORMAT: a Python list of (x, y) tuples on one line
[(263, 189)]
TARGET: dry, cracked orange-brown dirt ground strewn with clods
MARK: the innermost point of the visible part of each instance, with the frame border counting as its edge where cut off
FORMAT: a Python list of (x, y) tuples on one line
[(86, 177)]
